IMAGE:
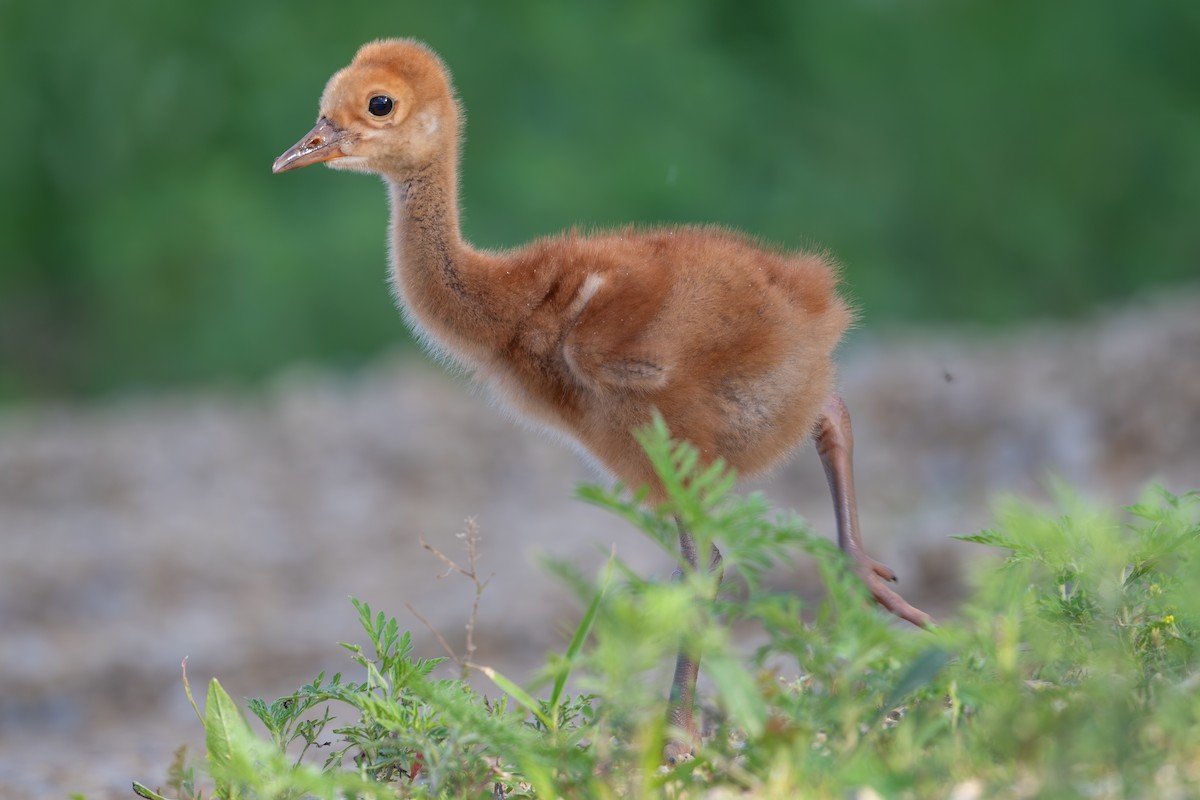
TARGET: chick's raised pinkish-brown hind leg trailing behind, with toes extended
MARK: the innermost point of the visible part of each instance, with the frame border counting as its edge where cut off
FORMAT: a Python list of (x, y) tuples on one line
[(836, 446)]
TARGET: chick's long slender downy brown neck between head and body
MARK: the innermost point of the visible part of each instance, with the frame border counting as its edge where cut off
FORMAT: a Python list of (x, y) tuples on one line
[(445, 285)]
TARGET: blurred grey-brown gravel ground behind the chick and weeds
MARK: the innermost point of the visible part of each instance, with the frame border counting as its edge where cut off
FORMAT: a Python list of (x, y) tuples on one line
[(231, 527)]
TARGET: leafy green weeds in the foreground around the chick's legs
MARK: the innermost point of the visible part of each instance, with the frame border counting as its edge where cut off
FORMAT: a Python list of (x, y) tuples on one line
[(1070, 673)]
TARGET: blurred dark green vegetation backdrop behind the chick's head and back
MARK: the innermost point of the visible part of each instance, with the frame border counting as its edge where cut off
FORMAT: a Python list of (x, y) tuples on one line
[(964, 160)]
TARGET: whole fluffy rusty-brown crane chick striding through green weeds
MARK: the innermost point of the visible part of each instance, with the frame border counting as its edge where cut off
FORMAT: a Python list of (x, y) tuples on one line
[(729, 340)]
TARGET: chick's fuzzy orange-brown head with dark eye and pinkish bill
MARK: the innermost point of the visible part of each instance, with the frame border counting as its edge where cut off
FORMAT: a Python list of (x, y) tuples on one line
[(392, 112)]
